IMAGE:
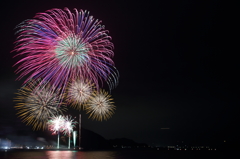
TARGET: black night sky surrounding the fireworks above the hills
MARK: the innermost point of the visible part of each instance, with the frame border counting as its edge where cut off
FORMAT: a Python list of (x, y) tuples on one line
[(178, 68)]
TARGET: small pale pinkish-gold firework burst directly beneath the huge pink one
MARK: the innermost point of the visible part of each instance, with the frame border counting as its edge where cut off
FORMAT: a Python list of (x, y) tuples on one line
[(78, 93)]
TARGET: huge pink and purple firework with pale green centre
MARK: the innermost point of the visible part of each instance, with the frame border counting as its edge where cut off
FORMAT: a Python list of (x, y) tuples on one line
[(59, 46)]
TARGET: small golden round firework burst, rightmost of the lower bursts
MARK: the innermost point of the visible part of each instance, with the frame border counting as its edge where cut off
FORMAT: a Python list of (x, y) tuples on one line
[(100, 106)]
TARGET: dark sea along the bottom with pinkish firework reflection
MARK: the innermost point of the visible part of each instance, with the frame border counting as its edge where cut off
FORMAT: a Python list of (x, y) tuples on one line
[(119, 154)]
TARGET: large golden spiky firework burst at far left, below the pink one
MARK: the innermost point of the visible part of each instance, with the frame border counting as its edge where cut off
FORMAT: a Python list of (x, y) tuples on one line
[(36, 102)]
